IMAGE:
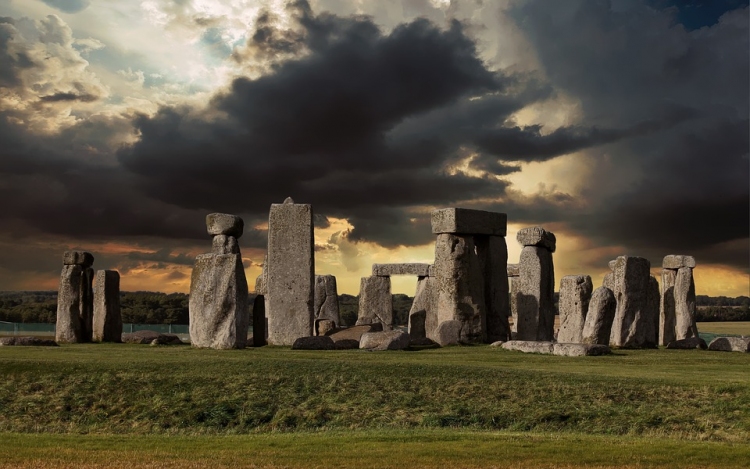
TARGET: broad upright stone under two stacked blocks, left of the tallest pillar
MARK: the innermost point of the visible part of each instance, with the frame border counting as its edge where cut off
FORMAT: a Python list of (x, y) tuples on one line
[(218, 304)]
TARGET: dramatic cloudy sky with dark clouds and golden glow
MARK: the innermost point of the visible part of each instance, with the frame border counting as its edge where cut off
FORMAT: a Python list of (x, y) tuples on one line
[(621, 126)]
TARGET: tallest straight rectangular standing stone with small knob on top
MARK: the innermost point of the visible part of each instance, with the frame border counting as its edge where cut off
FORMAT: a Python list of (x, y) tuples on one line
[(290, 270)]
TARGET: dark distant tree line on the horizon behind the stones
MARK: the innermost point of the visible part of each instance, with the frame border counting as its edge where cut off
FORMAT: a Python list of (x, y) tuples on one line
[(172, 308)]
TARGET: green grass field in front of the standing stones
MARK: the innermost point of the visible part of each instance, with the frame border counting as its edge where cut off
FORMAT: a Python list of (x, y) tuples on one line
[(141, 406)]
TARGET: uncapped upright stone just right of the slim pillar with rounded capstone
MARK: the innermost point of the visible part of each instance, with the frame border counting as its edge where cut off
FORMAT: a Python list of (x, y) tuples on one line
[(575, 295)]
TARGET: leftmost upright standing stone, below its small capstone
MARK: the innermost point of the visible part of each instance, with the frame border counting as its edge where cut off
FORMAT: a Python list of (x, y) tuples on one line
[(68, 326)]
